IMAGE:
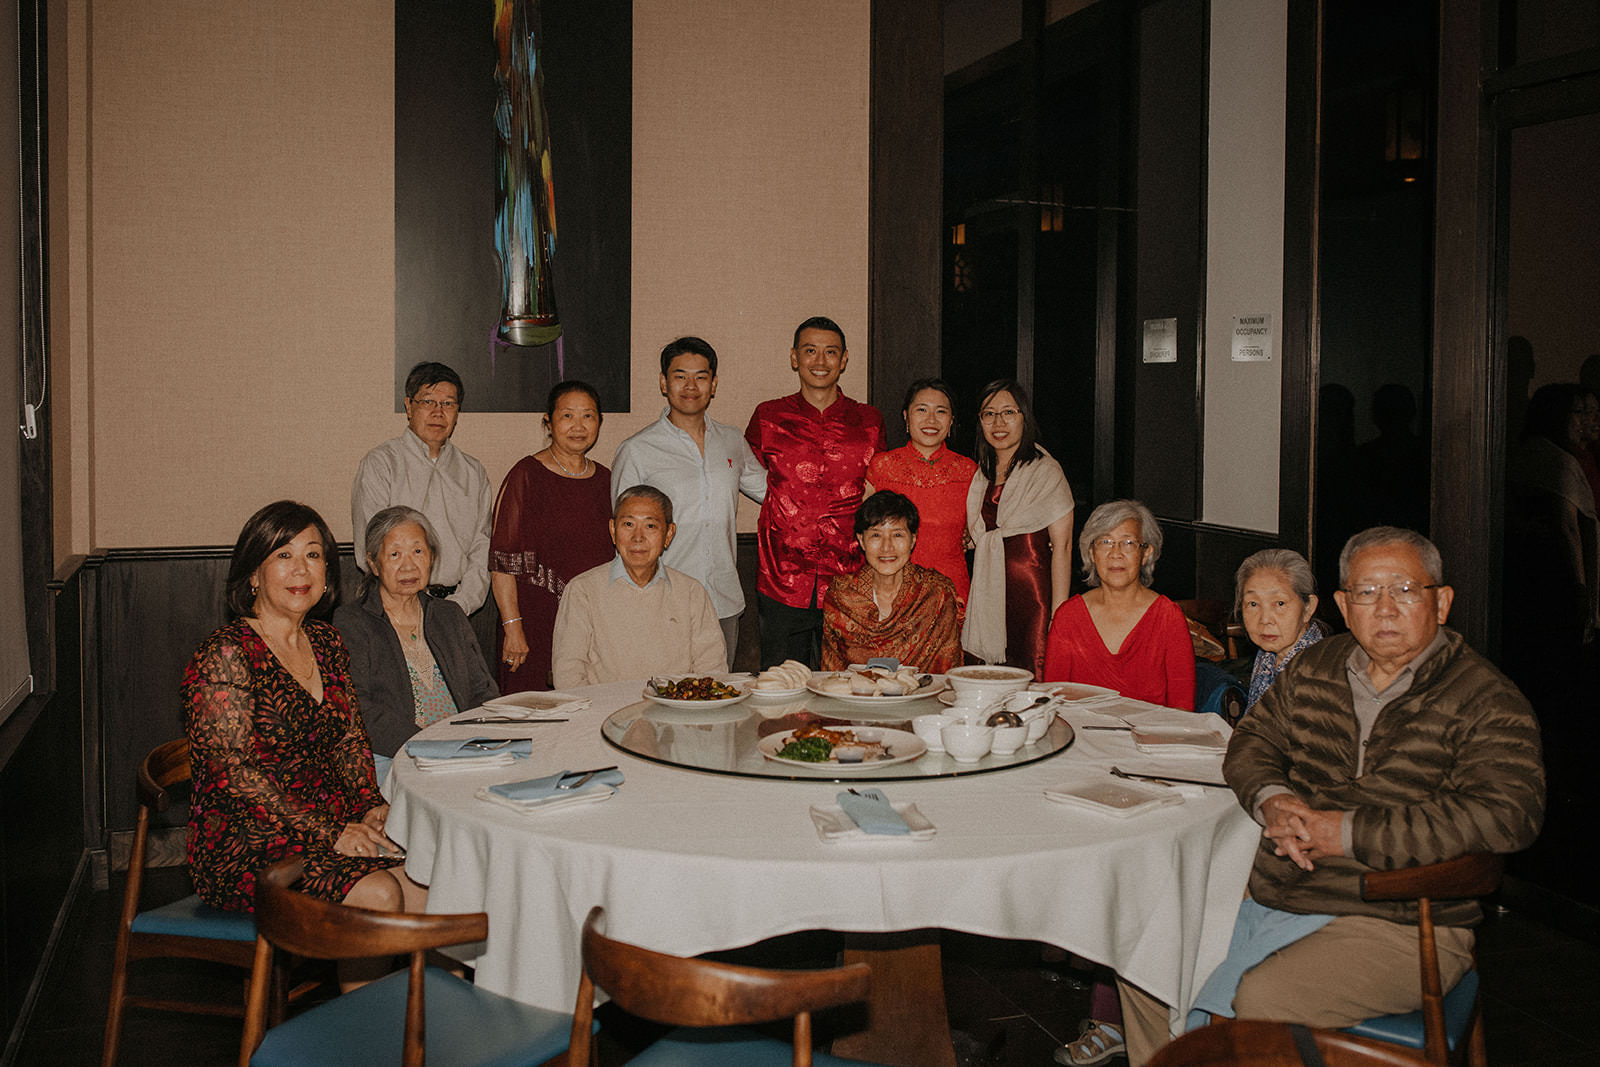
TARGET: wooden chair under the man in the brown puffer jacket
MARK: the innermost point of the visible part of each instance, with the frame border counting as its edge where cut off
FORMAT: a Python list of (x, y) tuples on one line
[(1450, 1026)]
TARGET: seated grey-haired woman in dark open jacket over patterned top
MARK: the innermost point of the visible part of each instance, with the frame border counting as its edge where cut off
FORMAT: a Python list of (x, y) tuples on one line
[(414, 658)]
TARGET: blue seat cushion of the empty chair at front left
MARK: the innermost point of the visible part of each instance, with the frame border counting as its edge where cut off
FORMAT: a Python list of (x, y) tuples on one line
[(465, 1025)]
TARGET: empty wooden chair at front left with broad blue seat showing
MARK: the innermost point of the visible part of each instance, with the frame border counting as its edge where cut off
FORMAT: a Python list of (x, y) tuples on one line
[(385, 1021)]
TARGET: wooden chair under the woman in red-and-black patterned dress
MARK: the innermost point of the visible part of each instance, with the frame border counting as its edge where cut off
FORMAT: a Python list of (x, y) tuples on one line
[(185, 929)]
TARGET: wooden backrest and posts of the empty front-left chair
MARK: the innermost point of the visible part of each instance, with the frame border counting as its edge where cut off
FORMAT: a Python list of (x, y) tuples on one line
[(337, 932)]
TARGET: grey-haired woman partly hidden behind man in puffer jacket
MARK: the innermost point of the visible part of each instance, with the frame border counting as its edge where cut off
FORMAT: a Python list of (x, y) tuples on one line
[(1276, 596)]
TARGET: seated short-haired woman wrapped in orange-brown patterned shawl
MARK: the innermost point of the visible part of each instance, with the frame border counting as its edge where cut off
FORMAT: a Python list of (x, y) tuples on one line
[(890, 607)]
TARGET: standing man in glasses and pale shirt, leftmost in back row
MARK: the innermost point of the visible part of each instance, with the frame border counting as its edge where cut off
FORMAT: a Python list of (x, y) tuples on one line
[(425, 471)]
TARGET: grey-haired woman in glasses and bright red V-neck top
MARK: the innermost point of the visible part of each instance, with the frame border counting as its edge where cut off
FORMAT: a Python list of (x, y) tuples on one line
[(1121, 633)]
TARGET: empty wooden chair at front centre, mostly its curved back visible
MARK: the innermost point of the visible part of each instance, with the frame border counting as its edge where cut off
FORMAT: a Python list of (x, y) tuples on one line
[(721, 997)]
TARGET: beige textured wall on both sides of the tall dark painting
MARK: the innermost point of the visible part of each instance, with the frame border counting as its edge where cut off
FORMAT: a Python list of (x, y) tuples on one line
[(241, 281)]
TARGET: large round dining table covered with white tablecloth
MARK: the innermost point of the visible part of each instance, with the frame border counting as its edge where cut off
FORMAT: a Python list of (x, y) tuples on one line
[(692, 861)]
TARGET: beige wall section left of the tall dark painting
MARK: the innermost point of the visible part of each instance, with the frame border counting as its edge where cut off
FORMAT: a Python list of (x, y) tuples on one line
[(242, 258)]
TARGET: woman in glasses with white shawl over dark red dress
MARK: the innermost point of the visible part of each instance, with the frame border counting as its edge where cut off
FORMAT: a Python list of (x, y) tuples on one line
[(1020, 519)]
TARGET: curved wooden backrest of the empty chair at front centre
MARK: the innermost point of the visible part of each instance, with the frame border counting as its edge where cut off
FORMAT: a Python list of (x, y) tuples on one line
[(689, 993)]
